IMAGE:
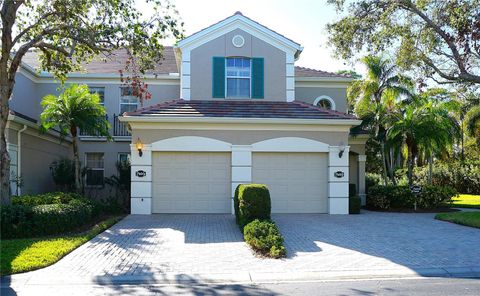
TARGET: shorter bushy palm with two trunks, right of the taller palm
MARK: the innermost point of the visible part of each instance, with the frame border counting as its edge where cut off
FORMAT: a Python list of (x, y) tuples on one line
[(425, 125)]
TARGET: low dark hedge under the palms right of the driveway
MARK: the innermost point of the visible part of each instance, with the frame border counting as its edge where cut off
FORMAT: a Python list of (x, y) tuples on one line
[(400, 197)]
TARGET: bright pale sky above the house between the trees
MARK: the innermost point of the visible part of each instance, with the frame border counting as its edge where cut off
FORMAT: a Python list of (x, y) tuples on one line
[(303, 21)]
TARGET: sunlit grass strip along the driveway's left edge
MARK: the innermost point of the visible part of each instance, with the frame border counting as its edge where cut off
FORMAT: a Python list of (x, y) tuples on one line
[(20, 255)]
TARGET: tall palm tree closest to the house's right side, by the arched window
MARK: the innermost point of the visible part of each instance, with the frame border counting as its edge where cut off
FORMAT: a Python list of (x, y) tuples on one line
[(376, 98)]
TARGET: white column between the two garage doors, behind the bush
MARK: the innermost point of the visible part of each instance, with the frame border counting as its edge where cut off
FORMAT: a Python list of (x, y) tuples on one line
[(241, 167)]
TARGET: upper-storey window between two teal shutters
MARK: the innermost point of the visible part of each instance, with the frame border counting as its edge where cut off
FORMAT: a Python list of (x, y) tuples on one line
[(238, 76)]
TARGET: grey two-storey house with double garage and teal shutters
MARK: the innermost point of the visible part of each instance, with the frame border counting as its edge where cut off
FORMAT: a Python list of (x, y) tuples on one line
[(228, 106)]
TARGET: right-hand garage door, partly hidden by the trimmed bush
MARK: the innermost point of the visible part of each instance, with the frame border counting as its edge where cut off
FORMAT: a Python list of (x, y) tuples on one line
[(297, 181)]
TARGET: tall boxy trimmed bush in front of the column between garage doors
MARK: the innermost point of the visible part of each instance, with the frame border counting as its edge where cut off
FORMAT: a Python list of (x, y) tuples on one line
[(251, 201)]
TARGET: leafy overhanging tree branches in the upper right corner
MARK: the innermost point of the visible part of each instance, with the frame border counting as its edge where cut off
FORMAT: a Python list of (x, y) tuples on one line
[(440, 38)]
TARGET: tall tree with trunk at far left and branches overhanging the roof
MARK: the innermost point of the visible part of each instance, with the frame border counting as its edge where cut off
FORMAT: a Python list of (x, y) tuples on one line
[(69, 33)]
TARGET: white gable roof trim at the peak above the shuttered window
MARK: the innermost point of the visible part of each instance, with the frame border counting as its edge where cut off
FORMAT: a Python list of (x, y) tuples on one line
[(238, 20)]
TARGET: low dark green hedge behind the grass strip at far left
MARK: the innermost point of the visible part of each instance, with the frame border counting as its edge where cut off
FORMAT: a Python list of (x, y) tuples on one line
[(21, 221)]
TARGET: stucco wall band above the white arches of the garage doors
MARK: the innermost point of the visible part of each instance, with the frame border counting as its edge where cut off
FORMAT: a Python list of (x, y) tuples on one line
[(240, 137)]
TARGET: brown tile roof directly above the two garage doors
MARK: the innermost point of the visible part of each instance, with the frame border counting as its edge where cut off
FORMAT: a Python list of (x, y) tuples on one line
[(238, 109)]
